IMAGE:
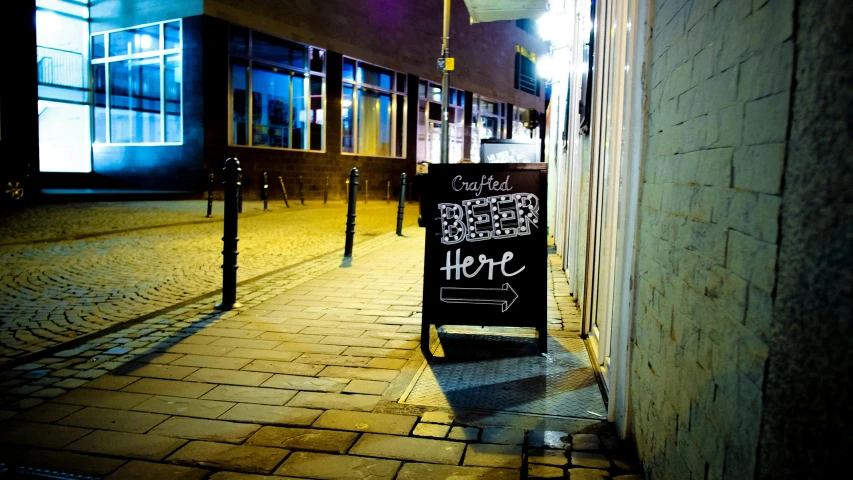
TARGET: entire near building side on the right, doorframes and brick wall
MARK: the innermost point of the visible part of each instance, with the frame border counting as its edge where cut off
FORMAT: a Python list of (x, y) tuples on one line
[(696, 220)]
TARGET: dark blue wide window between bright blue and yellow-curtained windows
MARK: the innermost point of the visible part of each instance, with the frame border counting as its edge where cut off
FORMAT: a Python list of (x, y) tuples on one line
[(278, 90)]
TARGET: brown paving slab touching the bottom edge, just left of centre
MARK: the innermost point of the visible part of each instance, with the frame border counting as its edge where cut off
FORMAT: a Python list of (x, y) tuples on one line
[(338, 467)]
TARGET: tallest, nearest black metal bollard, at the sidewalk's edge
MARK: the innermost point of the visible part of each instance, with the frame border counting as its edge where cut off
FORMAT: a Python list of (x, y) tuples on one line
[(229, 238)]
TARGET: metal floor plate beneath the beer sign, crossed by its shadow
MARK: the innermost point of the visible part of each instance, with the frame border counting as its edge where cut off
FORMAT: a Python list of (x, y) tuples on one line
[(505, 373)]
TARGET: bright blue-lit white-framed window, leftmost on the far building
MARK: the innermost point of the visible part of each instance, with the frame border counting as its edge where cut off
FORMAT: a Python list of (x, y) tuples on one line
[(137, 84)]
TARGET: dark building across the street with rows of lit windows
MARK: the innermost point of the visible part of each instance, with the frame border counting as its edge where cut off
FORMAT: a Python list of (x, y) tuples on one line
[(387, 36)]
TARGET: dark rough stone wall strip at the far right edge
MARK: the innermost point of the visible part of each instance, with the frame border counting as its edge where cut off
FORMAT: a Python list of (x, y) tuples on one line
[(806, 410)]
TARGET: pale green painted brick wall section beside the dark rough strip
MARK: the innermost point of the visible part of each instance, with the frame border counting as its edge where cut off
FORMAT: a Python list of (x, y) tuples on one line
[(721, 73)]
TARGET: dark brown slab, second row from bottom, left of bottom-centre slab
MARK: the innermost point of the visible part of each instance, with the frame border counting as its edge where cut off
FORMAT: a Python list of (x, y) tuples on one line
[(329, 441)]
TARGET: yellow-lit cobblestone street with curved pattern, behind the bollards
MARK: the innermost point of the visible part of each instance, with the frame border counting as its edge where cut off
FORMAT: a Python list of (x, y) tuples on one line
[(53, 290)]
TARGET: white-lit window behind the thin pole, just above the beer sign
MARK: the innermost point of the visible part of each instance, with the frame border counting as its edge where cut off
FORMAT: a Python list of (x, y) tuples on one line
[(429, 123)]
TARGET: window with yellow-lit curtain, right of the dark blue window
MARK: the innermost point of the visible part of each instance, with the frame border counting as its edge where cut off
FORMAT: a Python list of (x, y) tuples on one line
[(373, 107)]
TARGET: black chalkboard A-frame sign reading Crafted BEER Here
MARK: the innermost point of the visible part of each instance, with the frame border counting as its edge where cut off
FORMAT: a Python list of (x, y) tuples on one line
[(486, 247)]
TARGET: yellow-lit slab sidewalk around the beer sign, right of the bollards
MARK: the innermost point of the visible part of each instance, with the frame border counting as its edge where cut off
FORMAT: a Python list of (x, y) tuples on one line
[(304, 381)]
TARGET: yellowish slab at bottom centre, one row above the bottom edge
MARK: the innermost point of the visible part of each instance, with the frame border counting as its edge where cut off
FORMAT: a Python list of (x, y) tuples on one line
[(409, 448)]
